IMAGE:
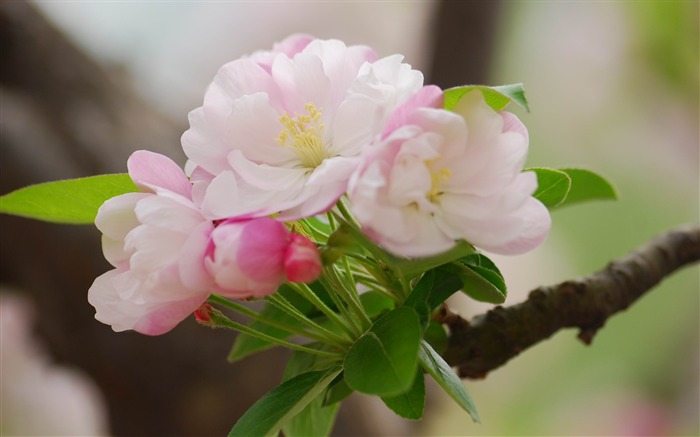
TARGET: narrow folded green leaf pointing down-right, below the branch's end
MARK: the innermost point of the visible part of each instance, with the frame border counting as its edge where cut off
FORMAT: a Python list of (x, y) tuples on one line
[(446, 378)]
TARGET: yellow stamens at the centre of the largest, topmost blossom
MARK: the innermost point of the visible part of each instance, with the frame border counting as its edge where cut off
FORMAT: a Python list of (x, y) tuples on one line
[(304, 132)]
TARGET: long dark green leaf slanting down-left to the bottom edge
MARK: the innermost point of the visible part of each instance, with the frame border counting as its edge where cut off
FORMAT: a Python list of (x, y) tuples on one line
[(272, 411)]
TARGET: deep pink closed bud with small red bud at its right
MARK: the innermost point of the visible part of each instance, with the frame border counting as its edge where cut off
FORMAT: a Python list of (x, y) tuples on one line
[(251, 258)]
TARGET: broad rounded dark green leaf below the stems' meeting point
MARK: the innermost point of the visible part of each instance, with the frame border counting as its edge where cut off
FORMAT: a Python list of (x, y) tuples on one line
[(383, 361)]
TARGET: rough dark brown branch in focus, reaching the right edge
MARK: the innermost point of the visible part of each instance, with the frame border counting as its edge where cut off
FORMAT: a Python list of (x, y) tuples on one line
[(490, 340)]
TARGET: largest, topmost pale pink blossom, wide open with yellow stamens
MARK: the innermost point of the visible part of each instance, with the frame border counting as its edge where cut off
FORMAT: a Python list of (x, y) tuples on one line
[(282, 130)]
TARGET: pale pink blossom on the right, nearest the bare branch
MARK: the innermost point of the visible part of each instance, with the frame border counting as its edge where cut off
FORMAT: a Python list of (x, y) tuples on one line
[(439, 176)]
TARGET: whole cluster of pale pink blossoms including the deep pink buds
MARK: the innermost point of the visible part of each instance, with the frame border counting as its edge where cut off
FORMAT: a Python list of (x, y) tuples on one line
[(281, 136)]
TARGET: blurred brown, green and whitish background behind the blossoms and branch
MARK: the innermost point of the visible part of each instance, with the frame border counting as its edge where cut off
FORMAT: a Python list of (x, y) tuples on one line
[(613, 86)]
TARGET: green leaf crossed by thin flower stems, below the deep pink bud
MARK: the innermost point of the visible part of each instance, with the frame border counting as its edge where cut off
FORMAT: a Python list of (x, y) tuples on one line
[(246, 345)]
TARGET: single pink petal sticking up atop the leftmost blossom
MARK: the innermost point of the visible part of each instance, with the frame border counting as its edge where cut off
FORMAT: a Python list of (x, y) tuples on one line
[(152, 172)]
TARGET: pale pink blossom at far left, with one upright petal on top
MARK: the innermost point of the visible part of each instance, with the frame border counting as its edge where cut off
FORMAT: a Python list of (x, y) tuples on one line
[(156, 240)]
